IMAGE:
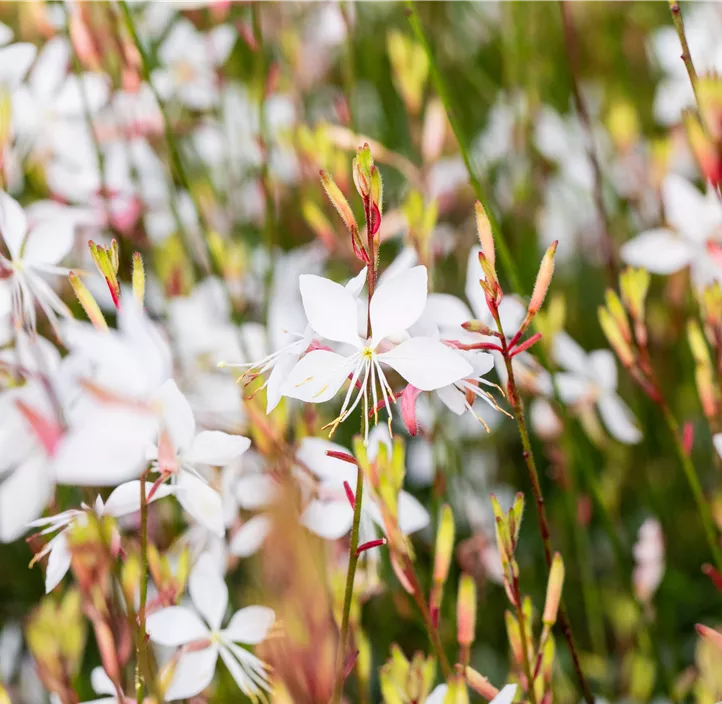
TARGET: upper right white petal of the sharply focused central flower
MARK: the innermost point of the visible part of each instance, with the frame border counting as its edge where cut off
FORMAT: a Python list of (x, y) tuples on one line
[(398, 303)]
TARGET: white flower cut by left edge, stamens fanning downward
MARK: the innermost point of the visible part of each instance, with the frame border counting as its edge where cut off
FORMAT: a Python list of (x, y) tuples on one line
[(34, 251)]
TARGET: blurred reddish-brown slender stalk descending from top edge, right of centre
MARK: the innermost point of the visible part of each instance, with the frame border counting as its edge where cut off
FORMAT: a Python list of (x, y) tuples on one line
[(572, 50)]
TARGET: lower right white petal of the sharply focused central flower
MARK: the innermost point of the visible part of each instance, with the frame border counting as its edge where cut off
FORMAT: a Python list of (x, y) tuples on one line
[(427, 363)]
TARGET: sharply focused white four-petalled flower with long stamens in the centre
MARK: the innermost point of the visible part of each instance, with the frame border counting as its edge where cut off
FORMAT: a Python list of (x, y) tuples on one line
[(397, 304)]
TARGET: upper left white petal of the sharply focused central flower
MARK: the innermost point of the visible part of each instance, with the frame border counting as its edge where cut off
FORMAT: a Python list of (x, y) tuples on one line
[(330, 308)]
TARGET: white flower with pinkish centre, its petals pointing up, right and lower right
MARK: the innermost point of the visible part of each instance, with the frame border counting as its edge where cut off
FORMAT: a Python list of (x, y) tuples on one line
[(181, 451)]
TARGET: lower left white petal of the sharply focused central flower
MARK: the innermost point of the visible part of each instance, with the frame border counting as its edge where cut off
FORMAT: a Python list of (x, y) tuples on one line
[(318, 376)]
